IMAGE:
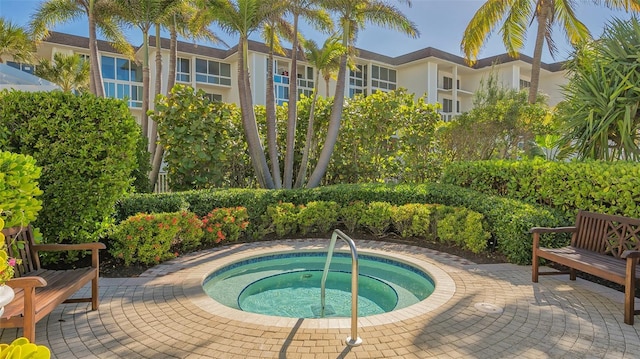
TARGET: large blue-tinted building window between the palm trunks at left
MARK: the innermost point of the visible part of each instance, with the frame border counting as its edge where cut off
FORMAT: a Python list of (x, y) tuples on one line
[(121, 78)]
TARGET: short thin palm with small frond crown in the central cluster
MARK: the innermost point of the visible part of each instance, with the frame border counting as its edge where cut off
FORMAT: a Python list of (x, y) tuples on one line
[(322, 59)]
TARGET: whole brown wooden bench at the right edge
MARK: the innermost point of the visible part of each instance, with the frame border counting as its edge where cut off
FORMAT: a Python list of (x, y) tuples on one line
[(602, 245)]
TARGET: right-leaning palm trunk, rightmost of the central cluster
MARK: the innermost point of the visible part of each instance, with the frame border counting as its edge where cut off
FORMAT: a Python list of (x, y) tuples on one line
[(334, 126)]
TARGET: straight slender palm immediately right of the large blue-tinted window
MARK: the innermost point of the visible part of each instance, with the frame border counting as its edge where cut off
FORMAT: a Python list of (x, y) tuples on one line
[(144, 14)]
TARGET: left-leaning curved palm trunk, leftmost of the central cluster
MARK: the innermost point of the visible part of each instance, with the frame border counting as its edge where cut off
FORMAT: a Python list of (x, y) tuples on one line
[(256, 151)]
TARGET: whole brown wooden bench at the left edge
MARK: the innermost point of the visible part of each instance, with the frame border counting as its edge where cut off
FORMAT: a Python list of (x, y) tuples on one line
[(38, 291)]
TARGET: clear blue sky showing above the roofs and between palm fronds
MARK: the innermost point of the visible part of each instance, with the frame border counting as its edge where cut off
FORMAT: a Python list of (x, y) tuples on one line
[(441, 24)]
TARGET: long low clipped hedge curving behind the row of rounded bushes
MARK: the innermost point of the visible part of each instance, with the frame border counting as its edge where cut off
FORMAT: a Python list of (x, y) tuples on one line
[(508, 220)]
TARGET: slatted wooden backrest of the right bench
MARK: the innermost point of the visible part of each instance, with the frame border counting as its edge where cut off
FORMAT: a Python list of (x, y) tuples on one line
[(605, 233)]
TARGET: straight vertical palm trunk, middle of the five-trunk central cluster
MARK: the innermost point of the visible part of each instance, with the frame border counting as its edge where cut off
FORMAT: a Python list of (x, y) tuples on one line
[(293, 108)]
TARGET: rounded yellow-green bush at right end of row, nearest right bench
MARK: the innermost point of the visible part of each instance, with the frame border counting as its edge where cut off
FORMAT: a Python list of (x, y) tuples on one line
[(465, 228)]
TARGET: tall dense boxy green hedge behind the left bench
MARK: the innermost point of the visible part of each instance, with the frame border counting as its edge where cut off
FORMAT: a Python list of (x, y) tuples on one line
[(86, 147)]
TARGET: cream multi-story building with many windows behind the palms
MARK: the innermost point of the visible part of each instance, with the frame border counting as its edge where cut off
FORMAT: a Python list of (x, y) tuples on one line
[(443, 77)]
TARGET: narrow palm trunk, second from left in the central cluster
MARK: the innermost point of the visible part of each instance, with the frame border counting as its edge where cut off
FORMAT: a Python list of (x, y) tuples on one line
[(270, 107)]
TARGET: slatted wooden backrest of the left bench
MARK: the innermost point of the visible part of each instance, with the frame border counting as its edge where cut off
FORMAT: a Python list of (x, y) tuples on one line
[(30, 261)]
